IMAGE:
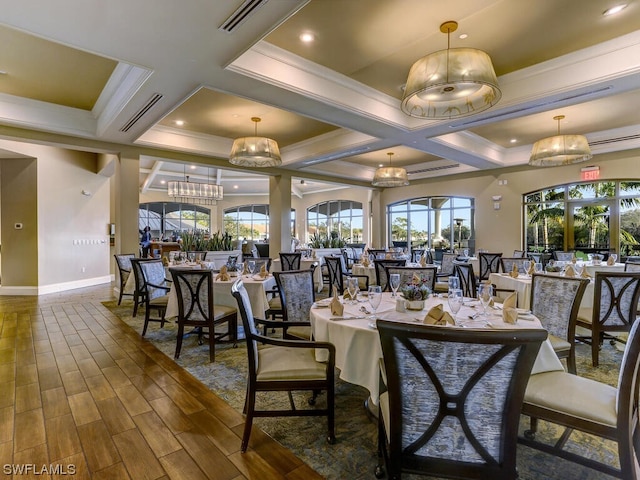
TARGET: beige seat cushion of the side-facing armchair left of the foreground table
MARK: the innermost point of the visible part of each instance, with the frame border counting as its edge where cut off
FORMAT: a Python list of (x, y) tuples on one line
[(289, 364)]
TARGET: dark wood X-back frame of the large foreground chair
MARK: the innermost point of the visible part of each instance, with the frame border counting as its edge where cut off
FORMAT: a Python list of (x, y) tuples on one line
[(398, 458)]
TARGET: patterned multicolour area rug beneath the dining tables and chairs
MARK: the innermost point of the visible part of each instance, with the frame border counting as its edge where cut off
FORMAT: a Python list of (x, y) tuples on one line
[(354, 455)]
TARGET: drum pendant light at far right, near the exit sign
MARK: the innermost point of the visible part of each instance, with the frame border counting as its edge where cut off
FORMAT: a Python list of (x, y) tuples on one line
[(560, 149)]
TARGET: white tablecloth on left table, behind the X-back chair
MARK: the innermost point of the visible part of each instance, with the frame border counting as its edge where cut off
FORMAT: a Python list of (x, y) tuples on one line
[(222, 295)]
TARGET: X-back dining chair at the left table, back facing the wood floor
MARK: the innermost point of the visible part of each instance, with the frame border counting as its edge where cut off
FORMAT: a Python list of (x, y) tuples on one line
[(197, 308)]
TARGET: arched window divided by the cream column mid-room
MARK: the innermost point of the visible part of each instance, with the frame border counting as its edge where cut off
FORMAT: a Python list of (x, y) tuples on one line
[(251, 222)]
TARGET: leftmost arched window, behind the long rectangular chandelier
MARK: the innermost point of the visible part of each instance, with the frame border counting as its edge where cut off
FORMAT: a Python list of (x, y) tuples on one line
[(167, 218)]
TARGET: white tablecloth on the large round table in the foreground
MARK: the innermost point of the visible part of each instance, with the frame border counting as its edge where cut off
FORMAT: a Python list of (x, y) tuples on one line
[(358, 348)]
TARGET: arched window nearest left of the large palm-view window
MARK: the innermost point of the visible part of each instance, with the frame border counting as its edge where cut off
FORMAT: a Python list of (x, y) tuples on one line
[(433, 222)]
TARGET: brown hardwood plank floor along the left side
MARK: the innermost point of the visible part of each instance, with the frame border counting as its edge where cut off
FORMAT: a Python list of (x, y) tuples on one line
[(82, 392)]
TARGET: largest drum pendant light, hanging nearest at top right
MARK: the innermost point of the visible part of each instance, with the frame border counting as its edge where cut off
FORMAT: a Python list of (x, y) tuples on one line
[(451, 83)]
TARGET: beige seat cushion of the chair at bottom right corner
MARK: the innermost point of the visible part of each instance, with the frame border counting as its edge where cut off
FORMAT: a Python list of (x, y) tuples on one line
[(573, 395)]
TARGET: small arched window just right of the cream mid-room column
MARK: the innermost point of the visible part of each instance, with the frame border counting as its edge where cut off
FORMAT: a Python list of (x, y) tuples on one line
[(343, 217)]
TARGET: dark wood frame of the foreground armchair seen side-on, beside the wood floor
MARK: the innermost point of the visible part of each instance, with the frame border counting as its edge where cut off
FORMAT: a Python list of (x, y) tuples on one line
[(253, 338)]
